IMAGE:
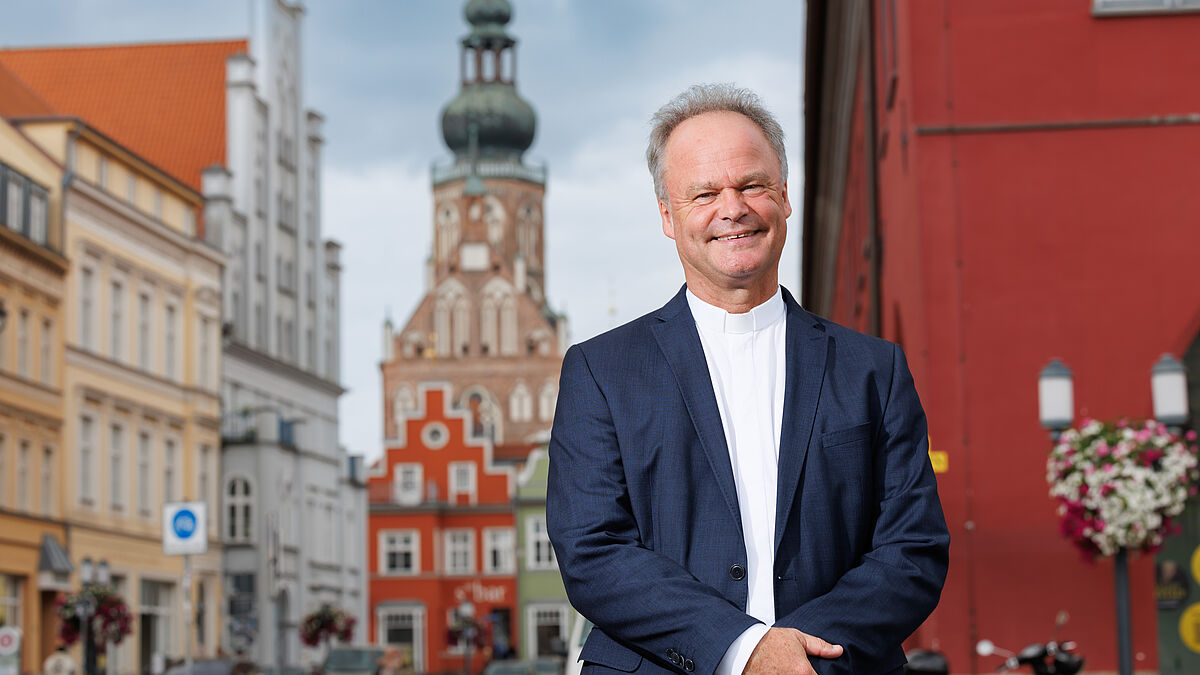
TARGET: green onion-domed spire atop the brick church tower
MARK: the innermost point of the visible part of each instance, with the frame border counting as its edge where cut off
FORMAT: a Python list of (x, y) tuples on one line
[(505, 123)]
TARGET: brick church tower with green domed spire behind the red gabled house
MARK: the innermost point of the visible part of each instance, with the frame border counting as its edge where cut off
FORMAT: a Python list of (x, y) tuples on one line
[(484, 325)]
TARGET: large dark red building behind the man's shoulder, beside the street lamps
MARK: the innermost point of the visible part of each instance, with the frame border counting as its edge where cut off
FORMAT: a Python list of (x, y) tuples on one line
[(993, 186)]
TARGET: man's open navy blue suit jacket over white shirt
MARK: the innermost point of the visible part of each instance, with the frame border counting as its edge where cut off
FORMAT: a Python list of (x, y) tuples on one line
[(644, 515)]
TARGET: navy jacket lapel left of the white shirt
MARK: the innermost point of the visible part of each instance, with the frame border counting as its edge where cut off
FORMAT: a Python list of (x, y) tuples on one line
[(680, 342)]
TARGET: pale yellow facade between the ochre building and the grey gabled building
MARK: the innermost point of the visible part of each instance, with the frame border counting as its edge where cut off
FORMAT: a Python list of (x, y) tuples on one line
[(142, 372)]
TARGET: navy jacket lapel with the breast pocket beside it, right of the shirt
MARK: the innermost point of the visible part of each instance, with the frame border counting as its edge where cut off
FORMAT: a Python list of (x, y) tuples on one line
[(806, 365)]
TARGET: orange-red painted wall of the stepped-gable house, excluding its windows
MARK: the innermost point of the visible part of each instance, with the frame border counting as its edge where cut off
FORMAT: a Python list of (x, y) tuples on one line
[(433, 588)]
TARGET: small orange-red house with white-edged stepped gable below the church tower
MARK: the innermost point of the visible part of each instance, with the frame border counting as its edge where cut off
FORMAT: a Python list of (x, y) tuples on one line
[(441, 533)]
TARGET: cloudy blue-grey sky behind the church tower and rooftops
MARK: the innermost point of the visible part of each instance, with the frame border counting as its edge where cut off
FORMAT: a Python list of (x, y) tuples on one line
[(382, 70)]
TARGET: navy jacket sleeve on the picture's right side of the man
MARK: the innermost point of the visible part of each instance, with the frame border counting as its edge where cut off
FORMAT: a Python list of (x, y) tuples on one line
[(878, 605)]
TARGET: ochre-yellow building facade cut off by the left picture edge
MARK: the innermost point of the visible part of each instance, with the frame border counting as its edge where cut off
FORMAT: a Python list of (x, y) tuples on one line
[(33, 273)]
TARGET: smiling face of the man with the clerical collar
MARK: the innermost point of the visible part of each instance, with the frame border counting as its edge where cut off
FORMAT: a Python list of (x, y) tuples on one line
[(727, 208)]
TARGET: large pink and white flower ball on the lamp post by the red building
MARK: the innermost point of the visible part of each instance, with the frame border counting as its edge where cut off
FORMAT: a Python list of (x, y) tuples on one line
[(1121, 486)]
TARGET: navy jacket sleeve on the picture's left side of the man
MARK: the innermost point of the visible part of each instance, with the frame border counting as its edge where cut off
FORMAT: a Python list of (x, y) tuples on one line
[(634, 595)]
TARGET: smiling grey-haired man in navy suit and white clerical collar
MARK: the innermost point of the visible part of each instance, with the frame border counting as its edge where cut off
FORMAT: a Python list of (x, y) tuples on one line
[(736, 486)]
